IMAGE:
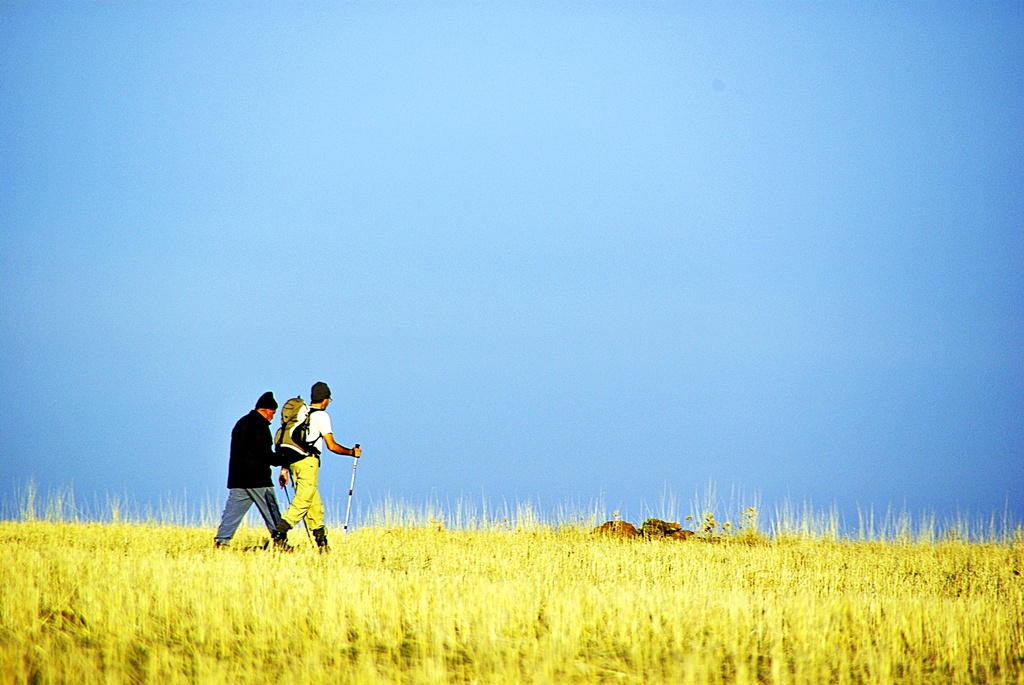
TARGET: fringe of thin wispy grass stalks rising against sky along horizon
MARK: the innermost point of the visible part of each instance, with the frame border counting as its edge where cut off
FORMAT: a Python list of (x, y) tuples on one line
[(707, 512)]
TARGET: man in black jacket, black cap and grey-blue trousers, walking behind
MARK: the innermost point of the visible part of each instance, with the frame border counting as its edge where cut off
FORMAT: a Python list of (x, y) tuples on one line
[(249, 472)]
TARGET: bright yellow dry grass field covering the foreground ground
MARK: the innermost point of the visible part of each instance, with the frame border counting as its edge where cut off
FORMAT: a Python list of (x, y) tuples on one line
[(148, 604)]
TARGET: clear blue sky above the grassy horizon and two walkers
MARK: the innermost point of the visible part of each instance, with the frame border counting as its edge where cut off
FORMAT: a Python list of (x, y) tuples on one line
[(540, 251)]
